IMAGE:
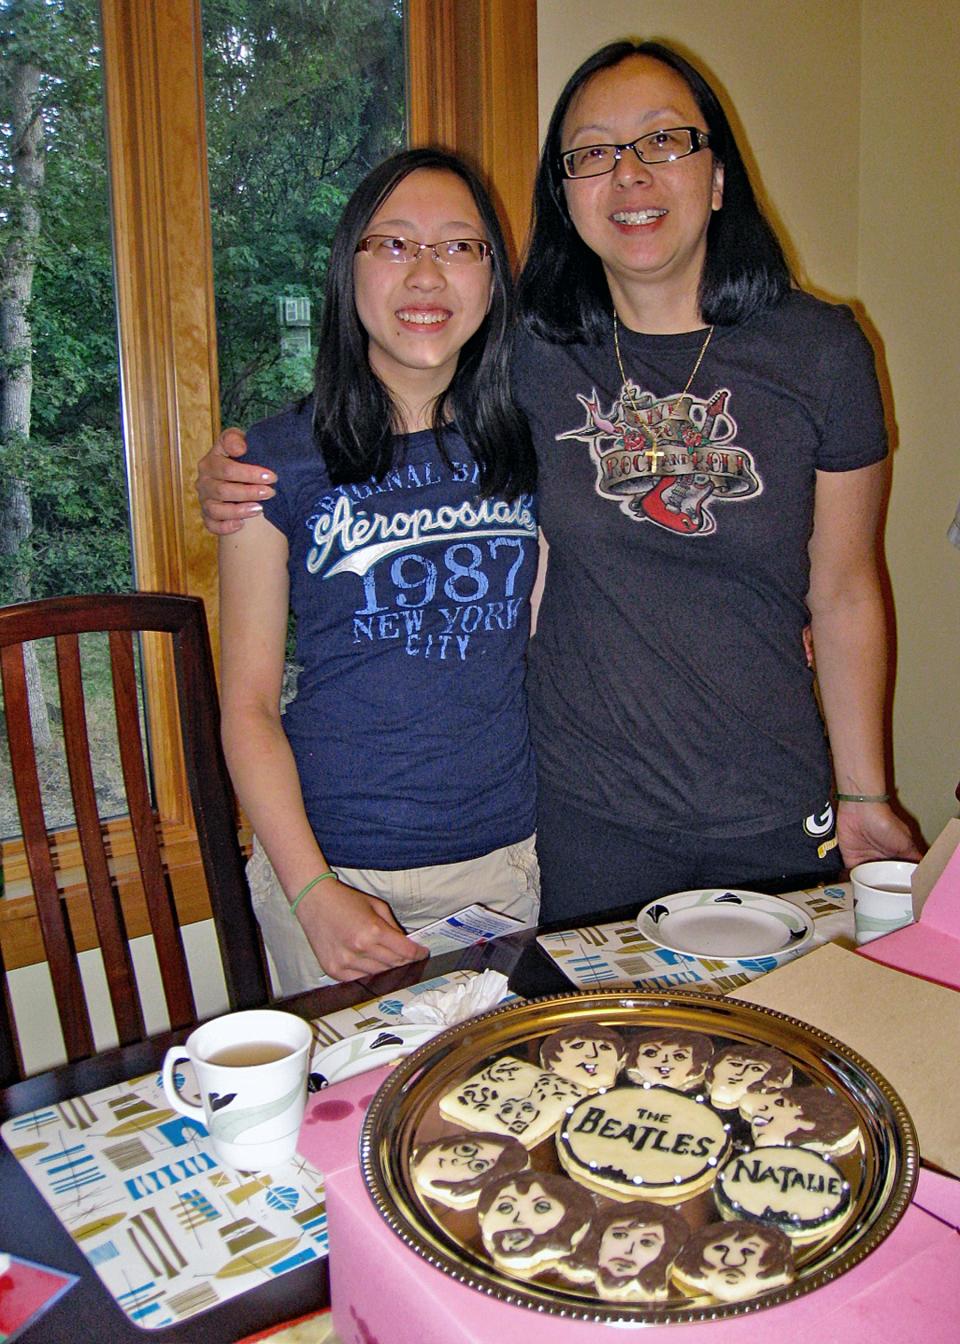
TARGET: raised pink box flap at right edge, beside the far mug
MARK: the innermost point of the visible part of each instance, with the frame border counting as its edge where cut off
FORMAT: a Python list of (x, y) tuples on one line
[(931, 947)]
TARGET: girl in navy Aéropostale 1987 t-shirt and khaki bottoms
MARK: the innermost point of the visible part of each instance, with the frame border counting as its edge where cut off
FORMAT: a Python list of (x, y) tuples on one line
[(399, 786)]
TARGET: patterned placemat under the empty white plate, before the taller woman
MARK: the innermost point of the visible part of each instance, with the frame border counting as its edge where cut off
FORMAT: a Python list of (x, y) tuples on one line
[(618, 955)]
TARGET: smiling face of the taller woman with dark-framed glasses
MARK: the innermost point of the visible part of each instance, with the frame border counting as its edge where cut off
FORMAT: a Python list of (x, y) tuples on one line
[(646, 222)]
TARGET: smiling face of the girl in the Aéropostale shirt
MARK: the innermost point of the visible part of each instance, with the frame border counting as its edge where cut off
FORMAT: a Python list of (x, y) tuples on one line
[(419, 315)]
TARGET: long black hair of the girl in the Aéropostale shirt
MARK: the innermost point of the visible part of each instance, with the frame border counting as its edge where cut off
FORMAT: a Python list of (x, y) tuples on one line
[(354, 415)]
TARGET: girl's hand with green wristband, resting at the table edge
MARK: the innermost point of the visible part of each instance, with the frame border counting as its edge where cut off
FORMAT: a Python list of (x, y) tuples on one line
[(354, 935)]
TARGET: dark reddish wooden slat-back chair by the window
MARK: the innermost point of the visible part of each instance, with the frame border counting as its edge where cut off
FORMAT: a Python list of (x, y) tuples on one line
[(212, 796)]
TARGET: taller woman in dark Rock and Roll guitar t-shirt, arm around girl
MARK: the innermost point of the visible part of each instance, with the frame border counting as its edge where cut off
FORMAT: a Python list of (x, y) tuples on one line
[(712, 474)]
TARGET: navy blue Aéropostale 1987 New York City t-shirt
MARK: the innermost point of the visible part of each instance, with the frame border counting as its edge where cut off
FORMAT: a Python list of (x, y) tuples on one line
[(412, 599)]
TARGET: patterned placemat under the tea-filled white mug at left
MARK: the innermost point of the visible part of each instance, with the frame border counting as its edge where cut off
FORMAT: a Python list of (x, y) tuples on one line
[(169, 1230)]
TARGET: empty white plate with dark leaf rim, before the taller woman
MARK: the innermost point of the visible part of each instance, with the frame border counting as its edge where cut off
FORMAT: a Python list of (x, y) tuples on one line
[(725, 923)]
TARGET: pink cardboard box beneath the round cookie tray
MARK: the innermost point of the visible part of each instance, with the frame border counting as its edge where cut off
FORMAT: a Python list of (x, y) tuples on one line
[(385, 1294)]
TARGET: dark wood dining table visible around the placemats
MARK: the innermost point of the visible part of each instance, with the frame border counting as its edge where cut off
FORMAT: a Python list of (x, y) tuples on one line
[(33, 1230)]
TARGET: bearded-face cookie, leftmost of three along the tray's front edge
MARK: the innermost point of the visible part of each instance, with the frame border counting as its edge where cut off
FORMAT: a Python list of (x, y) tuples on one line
[(532, 1220)]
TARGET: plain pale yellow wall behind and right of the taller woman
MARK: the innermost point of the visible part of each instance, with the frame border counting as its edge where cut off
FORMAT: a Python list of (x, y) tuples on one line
[(830, 97)]
